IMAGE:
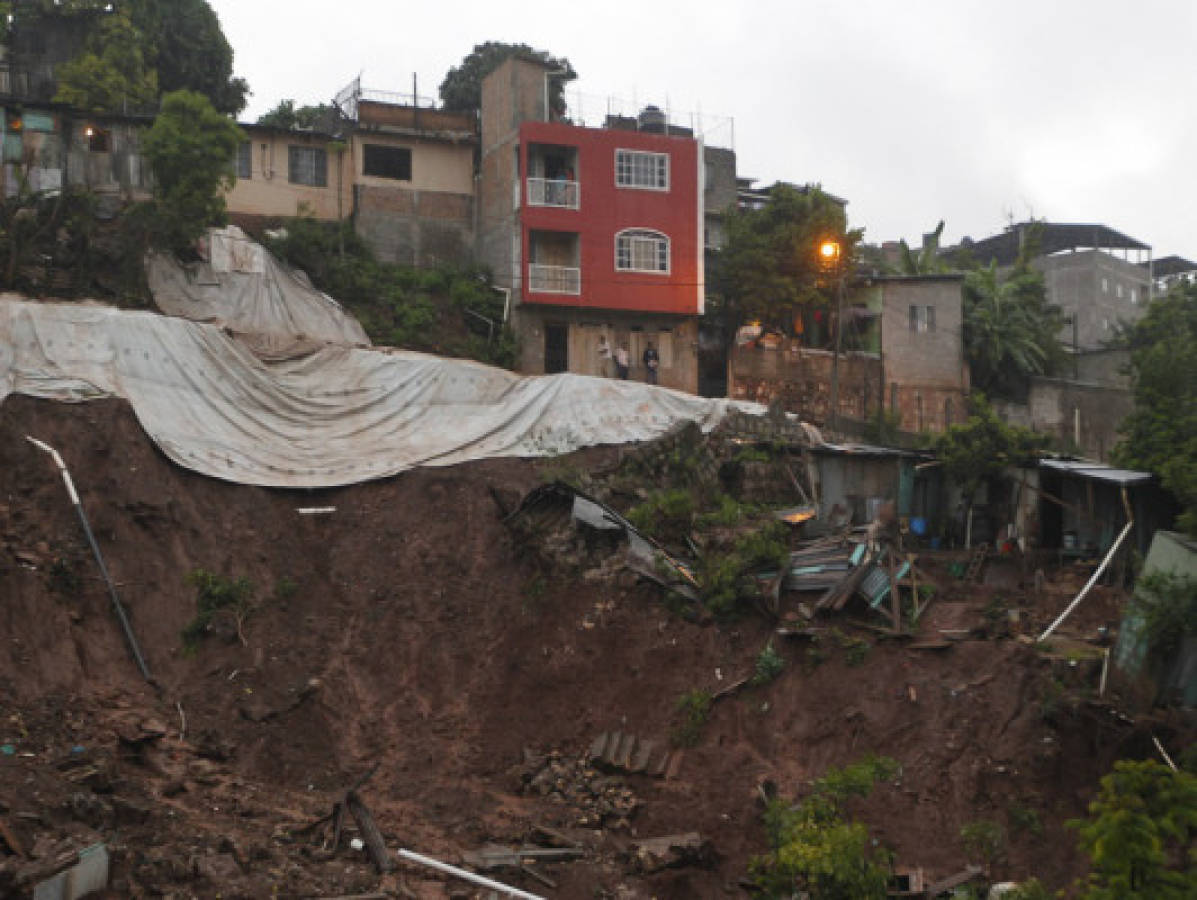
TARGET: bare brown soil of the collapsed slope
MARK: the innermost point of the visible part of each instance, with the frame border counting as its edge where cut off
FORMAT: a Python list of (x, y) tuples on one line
[(420, 638)]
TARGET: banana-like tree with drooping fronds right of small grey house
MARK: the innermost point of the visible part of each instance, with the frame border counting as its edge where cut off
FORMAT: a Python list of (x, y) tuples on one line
[(1011, 330)]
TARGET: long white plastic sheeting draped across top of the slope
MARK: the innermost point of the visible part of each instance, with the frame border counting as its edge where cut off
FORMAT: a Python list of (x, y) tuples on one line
[(336, 417)]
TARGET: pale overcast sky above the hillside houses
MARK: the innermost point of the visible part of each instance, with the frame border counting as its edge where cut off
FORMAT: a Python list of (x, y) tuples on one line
[(914, 112)]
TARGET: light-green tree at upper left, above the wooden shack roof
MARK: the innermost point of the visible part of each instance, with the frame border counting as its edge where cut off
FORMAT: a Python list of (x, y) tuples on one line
[(111, 75)]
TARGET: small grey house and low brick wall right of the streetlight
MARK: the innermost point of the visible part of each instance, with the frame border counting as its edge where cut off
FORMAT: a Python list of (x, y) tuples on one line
[(903, 351)]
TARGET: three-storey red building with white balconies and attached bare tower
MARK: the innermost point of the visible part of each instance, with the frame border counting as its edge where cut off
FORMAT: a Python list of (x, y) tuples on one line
[(598, 233)]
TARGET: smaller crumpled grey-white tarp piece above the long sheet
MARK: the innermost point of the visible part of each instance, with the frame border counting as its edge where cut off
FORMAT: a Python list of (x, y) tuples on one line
[(245, 289)]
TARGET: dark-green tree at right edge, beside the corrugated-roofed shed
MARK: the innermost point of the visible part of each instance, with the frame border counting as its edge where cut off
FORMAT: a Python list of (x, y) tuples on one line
[(1162, 433)]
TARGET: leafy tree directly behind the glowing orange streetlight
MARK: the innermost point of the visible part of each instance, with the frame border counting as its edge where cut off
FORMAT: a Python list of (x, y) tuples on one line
[(770, 264)]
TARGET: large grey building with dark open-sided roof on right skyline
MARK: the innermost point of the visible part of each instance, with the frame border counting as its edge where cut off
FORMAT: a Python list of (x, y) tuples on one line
[(1089, 270)]
